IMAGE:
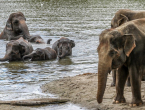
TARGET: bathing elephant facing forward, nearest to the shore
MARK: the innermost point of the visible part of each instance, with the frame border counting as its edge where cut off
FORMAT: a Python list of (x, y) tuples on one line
[(63, 47)]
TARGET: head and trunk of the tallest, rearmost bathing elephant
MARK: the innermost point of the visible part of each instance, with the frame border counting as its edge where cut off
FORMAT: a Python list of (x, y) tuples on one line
[(17, 26)]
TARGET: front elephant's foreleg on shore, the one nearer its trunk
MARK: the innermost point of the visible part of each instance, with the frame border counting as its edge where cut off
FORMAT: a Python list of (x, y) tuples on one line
[(121, 77)]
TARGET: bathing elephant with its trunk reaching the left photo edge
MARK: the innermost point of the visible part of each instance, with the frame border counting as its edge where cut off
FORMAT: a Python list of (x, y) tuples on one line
[(16, 49)]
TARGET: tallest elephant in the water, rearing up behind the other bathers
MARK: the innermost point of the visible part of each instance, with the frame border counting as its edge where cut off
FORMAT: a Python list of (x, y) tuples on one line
[(15, 27)]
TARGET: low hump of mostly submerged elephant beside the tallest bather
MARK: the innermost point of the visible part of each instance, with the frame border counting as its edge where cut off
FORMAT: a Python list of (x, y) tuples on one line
[(36, 39)]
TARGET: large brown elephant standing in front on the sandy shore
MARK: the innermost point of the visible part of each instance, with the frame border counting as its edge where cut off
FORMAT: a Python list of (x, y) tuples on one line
[(122, 48)]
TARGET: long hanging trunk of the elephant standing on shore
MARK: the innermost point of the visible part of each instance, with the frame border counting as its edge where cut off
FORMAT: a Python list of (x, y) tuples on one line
[(104, 67)]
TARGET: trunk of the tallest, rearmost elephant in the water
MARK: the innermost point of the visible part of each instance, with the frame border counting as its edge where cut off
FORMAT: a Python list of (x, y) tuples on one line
[(25, 30)]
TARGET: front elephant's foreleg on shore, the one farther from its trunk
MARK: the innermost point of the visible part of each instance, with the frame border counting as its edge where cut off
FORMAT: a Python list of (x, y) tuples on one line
[(135, 79)]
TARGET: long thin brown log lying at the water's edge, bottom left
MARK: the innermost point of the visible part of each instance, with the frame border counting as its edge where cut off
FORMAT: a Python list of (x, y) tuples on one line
[(32, 102)]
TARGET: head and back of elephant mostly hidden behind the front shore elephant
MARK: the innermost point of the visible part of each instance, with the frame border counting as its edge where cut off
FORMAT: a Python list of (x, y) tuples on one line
[(125, 15)]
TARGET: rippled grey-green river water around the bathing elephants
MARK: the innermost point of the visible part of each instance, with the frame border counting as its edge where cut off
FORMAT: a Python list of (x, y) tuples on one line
[(78, 20)]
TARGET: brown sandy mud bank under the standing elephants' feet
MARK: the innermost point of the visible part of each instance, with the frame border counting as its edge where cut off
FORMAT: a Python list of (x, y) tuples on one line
[(82, 89)]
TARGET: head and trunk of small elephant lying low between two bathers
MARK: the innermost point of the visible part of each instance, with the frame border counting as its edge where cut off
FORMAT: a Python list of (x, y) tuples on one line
[(36, 55)]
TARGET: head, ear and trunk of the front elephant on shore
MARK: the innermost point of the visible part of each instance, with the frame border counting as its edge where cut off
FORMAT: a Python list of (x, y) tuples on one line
[(113, 50)]
